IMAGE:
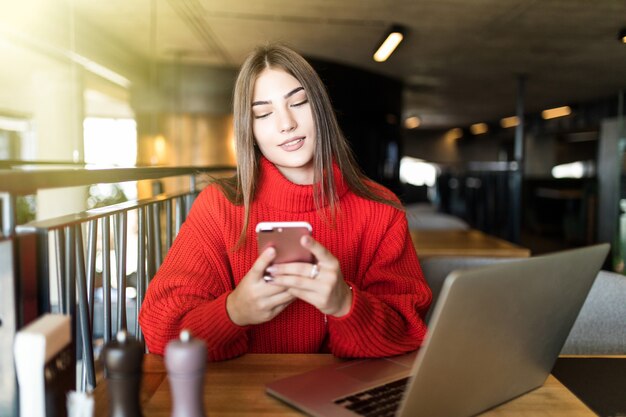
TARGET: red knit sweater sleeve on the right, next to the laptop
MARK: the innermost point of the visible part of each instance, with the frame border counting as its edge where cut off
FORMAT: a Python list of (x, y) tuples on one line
[(387, 311)]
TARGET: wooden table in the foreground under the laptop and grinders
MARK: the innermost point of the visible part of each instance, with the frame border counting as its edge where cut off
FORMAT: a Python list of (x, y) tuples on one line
[(237, 388)]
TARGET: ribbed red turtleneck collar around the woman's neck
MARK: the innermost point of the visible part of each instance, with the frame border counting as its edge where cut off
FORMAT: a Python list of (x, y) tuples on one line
[(276, 191)]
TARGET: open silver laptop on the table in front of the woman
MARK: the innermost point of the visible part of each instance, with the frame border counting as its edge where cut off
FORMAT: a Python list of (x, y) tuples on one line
[(495, 334)]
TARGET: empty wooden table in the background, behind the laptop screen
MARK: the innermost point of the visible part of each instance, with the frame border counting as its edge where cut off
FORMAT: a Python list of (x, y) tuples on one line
[(463, 243)]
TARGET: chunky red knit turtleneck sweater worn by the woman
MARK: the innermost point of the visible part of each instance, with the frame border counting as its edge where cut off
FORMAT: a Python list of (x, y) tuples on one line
[(370, 240)]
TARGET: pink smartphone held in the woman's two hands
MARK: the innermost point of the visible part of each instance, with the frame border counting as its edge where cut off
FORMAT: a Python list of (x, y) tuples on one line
[(285, 238)]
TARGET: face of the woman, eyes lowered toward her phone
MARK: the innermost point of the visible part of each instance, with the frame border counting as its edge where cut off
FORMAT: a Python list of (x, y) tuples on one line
[(283, 124)]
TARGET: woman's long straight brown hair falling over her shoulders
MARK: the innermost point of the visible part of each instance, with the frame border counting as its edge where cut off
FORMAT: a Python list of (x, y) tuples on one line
[(331, 145)]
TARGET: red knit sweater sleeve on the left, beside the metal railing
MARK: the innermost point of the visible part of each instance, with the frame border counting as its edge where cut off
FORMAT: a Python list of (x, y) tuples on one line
[(189, 292)]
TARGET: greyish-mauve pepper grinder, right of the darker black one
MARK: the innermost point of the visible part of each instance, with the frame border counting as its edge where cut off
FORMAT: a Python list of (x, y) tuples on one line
[(185, 360)]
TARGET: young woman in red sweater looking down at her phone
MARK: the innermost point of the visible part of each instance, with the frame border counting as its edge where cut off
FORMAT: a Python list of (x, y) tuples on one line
[(364, 296)]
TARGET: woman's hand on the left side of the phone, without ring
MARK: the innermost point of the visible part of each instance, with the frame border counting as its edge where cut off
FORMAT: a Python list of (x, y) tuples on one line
[(253, 301)]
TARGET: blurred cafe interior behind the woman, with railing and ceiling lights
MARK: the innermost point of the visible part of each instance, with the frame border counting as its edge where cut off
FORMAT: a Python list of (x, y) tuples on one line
[(499, 124)]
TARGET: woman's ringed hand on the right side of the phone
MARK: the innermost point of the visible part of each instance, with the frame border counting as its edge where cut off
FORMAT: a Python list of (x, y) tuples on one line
[(320, 285)]
